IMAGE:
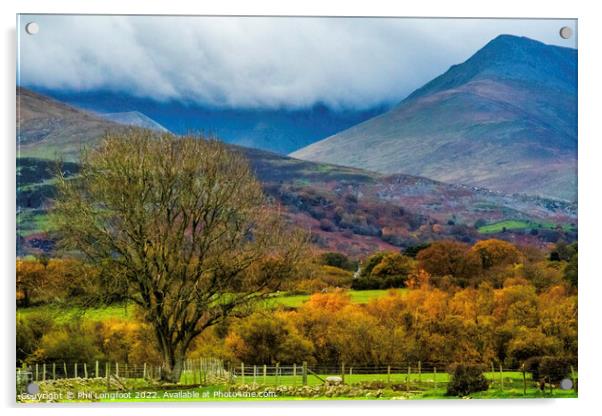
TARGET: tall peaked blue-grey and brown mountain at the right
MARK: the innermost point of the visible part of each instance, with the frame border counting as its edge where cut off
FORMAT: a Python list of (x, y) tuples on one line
[(506, 119)]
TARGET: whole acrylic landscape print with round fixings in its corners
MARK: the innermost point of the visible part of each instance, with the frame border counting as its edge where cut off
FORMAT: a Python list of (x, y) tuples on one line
[(215, 208)]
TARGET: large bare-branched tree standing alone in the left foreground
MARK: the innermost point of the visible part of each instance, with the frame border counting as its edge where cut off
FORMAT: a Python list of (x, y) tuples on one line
[(178, 226)]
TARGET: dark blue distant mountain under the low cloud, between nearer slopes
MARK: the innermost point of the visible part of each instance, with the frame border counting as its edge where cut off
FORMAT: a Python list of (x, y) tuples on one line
[(278, 130)]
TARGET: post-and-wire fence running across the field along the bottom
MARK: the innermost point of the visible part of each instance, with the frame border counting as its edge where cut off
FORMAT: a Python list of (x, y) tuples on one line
[(408, 376)]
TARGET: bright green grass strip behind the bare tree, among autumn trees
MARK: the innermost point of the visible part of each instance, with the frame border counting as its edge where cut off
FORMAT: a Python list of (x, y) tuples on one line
[(65, 313)]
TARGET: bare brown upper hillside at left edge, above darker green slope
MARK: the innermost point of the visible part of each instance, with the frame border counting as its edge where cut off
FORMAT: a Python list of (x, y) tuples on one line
[(46, 127)]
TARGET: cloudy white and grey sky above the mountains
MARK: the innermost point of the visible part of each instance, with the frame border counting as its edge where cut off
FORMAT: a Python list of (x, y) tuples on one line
[(257, 62)]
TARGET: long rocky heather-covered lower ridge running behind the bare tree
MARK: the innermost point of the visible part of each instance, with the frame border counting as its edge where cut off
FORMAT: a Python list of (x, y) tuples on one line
[(350, 210)]
